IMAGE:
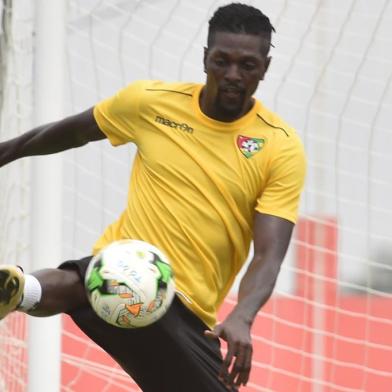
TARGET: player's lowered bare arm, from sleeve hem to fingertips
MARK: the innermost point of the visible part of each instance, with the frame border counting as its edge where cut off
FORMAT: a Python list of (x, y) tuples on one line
[(271, 239)]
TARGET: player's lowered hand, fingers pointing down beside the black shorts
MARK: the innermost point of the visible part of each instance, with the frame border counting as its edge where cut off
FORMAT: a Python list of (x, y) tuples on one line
[(238, 360)]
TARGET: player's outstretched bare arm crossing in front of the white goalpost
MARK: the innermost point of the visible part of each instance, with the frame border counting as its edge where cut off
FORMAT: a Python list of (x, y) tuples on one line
[(71, 132)]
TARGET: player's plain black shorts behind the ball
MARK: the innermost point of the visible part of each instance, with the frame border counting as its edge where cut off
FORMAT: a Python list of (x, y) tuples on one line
[(171, 355)]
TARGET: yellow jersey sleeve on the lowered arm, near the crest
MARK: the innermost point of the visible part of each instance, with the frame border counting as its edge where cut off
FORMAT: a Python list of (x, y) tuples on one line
[(281, 195)]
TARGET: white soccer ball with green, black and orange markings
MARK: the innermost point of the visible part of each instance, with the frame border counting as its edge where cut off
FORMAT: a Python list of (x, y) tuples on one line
[(130, 284)]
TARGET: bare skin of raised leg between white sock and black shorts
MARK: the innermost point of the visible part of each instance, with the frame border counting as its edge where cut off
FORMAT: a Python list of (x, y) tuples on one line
[(62, 292)]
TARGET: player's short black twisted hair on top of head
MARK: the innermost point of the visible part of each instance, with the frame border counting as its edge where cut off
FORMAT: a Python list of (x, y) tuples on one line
[(242, 19)]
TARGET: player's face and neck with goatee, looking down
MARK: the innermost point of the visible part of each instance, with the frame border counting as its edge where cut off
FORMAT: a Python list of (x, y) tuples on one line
[(234, 64)]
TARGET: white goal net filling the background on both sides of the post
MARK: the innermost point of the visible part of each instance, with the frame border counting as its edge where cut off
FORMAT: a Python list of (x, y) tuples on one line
[(327, 326)]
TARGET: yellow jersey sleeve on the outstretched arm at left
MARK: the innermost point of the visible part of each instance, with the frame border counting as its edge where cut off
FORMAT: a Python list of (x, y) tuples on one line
[(118, 116)]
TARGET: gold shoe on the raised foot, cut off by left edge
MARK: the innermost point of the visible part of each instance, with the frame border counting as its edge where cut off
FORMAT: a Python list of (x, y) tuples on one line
[(11, 288)]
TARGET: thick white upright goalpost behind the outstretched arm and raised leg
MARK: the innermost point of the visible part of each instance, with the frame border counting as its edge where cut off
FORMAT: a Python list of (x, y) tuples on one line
[(44, 334)]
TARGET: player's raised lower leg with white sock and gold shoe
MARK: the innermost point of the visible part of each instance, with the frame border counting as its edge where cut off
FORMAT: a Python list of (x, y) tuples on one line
[(43, 293)]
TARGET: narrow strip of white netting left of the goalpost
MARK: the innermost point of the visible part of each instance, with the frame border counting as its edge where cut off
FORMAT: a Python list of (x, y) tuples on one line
[(16, 47)]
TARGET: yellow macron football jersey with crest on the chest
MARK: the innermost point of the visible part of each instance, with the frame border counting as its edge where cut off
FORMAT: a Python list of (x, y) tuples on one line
[(197, 182)]
